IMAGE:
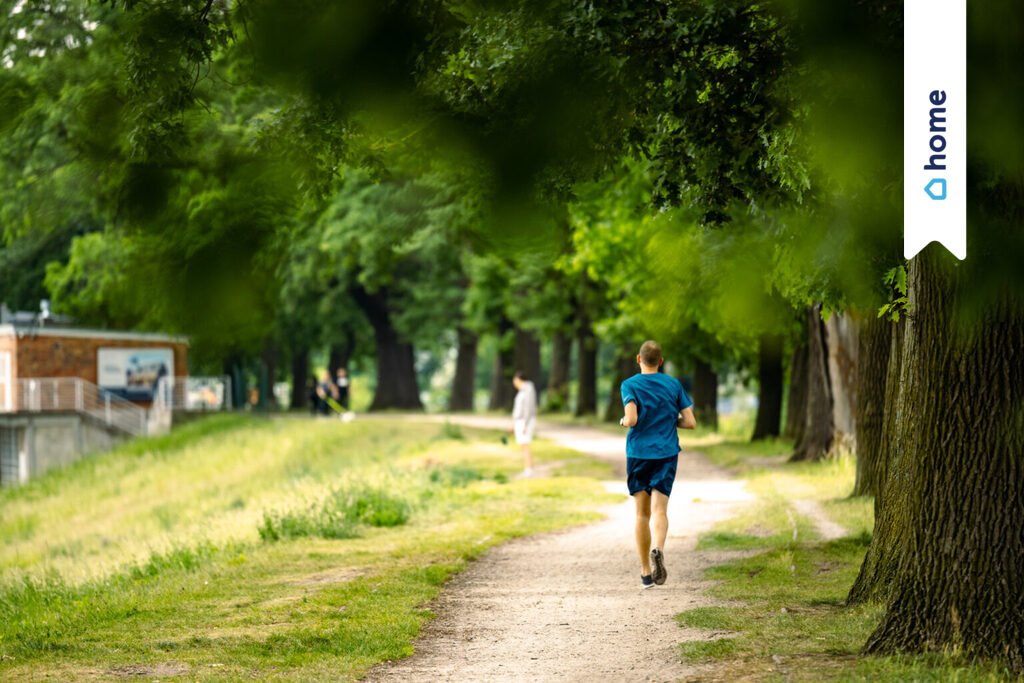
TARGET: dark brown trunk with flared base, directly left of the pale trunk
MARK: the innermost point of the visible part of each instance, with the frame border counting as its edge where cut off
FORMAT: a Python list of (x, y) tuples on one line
[(819, 430)]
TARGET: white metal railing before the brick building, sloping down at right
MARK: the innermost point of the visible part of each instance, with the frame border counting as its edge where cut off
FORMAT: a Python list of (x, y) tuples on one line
[(74, 395)]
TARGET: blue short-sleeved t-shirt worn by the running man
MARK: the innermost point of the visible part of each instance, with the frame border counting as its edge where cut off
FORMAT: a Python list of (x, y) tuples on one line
[(659, 399)]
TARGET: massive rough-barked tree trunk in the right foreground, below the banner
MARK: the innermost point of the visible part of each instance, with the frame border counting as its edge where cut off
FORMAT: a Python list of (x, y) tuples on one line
[(960, 578)]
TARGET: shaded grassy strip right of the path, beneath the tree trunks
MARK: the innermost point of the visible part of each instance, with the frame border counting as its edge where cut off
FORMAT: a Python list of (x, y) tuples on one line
[(788, 621)]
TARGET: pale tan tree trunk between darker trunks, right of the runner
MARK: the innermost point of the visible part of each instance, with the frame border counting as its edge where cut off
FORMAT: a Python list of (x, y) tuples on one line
[(841, 340)]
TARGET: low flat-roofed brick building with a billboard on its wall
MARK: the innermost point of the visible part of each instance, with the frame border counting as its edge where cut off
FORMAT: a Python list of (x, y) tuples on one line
[(127, 364)]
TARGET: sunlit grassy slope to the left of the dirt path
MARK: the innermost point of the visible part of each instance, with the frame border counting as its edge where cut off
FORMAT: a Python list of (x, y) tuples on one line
[(148, 561)]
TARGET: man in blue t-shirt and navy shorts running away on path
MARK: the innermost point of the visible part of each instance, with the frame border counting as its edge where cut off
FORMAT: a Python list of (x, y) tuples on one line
[(656, 406)]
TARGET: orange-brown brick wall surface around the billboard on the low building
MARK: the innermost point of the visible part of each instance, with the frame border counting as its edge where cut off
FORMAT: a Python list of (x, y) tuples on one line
[(77, 357)]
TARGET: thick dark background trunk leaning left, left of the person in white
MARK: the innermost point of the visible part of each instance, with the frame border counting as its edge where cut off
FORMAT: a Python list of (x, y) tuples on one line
[(397, 385)]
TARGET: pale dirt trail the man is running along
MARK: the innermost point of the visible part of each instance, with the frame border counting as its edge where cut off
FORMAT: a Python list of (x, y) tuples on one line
[(568, 607)]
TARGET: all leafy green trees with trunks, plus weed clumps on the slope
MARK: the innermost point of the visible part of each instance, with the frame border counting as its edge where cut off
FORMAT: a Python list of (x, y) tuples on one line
[(413, 187)]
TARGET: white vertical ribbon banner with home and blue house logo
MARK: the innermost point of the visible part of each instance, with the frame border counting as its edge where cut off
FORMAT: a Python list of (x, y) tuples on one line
[(935, 125)]
